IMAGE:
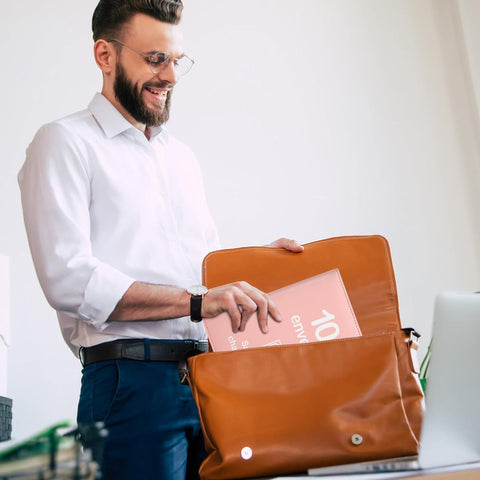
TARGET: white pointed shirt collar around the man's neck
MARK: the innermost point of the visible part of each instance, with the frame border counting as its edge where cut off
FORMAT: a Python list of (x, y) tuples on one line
[(114, 123)]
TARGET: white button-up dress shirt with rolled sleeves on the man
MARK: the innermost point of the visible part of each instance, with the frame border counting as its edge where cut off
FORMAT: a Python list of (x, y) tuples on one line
[(103, 207)]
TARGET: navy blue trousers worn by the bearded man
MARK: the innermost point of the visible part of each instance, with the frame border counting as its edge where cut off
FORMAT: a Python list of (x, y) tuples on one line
[(152, 420)]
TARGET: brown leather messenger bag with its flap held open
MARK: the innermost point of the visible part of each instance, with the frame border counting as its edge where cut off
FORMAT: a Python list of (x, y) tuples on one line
[(280, 410)]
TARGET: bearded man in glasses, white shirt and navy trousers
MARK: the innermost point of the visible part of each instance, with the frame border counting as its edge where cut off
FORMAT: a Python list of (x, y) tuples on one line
[(118, 225)]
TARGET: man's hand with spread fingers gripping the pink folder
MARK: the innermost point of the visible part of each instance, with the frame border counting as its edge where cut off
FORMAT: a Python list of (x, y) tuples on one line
[(241, 300)]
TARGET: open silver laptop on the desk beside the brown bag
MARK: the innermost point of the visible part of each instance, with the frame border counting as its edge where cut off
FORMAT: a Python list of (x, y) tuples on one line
[(451, 423)]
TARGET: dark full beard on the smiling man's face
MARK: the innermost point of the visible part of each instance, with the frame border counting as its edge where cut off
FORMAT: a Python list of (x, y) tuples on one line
[(131, 100)]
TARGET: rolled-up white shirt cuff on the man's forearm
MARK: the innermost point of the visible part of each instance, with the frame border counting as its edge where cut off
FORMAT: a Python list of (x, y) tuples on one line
[(104, 290)]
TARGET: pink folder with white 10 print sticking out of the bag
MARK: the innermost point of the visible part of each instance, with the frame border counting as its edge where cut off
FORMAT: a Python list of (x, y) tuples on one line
[(315, 309)]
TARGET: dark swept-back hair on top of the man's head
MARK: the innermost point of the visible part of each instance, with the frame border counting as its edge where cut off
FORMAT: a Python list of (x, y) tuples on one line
[(110, 15)]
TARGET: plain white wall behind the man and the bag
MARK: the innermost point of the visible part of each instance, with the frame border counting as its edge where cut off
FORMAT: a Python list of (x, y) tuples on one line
[(311, 119)]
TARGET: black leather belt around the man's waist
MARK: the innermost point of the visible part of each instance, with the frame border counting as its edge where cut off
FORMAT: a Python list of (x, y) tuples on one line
[(145, 350)]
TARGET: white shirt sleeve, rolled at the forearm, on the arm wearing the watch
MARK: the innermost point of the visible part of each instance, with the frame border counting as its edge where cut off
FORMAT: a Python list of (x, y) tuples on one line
[(55, 190)]
